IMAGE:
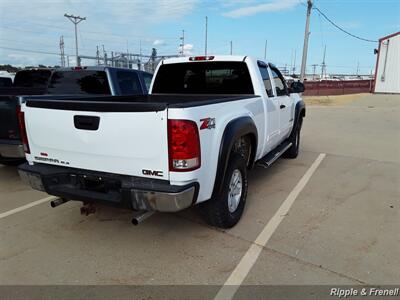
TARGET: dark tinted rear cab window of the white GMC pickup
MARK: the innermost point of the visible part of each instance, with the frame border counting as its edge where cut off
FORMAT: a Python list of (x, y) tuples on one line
[(203, 78)]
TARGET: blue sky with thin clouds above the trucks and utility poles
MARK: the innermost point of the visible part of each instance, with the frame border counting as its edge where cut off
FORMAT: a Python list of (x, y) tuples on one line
[(30, 30)]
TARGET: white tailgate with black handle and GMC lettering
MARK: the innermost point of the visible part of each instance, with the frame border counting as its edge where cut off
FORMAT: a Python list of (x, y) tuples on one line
[(120, 138)]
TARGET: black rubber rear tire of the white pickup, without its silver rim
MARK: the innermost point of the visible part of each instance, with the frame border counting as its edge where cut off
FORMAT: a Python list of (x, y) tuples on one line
[(216, 211)]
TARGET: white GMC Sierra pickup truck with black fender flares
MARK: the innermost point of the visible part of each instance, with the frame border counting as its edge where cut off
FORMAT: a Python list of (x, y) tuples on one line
[(207, 121)]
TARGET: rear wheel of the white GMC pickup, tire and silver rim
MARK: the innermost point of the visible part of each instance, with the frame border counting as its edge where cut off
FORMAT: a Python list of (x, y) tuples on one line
[(226, 209)]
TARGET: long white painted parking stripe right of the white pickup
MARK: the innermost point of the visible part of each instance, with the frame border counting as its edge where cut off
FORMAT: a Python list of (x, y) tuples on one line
[(238, 275)]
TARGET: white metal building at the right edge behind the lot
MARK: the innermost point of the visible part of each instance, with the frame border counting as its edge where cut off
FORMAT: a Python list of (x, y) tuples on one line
[(387, 70)]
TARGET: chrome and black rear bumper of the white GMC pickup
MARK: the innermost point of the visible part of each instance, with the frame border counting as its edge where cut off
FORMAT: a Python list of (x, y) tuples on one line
[(111, 189)]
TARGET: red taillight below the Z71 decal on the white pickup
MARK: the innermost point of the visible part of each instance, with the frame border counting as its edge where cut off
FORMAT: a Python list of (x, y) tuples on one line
[(183, 145)]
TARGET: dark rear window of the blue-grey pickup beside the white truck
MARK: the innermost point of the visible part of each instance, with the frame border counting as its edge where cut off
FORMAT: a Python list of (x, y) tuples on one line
[(79, 82)]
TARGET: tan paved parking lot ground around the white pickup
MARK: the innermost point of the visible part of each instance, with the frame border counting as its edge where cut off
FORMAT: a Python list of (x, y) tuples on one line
[(342, 228)]
